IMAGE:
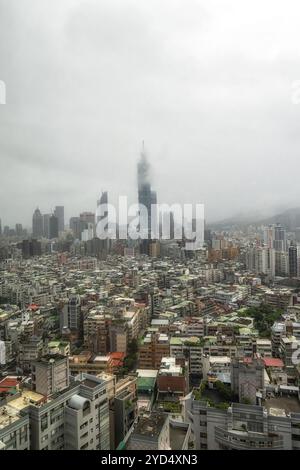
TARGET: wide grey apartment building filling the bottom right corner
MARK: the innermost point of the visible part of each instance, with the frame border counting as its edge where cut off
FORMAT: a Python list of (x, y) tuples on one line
[(241, 427)]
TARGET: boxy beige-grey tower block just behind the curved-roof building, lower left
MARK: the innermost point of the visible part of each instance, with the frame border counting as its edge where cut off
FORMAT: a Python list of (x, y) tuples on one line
[(50, 374)]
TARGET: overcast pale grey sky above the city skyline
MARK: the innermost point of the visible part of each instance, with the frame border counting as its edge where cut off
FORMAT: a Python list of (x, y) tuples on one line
[(207, 85)]
